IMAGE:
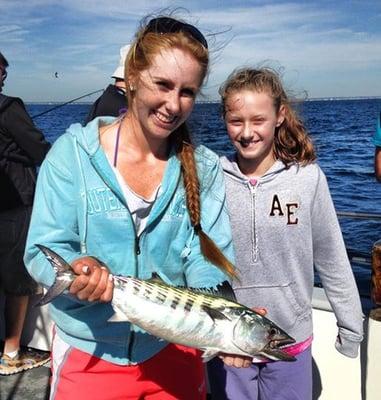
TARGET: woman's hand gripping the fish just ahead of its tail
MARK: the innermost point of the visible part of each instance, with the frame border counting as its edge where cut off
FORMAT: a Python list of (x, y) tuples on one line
[(94, 281)]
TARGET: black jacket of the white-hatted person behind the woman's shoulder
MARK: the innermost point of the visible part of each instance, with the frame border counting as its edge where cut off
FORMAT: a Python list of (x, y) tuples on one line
[(108, 104)]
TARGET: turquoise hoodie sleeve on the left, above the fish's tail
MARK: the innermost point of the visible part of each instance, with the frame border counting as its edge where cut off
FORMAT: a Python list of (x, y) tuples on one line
[(54, 217)]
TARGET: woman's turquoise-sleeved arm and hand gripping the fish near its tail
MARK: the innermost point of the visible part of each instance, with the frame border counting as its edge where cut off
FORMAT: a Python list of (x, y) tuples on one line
[(54, 224)]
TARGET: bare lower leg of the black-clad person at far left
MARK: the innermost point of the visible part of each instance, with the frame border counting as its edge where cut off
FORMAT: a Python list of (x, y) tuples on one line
[(15, 309)]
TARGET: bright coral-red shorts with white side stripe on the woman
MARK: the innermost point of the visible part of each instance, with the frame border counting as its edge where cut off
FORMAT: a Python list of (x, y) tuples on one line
[(176, 372)]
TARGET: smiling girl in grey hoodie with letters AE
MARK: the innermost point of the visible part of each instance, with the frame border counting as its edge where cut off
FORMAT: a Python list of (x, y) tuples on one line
[(284, 224)]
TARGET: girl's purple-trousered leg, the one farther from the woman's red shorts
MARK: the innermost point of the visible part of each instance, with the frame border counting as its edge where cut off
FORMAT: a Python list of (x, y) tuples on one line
[(287, 380)]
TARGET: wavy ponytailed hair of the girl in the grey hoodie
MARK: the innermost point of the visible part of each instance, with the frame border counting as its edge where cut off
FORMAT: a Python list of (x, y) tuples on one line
[(291, 141)]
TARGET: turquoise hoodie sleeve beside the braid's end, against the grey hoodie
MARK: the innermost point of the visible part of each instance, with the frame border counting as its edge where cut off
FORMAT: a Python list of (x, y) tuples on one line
[(215, 223)]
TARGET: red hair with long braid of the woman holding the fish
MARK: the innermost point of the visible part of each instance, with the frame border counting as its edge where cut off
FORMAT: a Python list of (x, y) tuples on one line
[(140, 57)]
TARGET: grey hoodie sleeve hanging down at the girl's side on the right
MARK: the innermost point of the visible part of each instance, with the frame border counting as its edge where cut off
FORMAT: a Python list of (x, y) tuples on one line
[(332, 264)]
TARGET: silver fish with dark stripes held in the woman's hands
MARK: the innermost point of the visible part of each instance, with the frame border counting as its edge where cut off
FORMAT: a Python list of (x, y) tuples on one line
[(198, 318)]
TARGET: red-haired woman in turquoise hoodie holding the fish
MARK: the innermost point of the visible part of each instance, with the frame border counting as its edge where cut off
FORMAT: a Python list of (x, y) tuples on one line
[(132, 192)]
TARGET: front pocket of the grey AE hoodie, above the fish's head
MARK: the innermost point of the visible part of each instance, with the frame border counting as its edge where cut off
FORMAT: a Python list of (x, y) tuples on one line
[(284, 306)]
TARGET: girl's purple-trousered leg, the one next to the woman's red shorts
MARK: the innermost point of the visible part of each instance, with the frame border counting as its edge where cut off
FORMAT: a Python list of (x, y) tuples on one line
[(230, 383)]
